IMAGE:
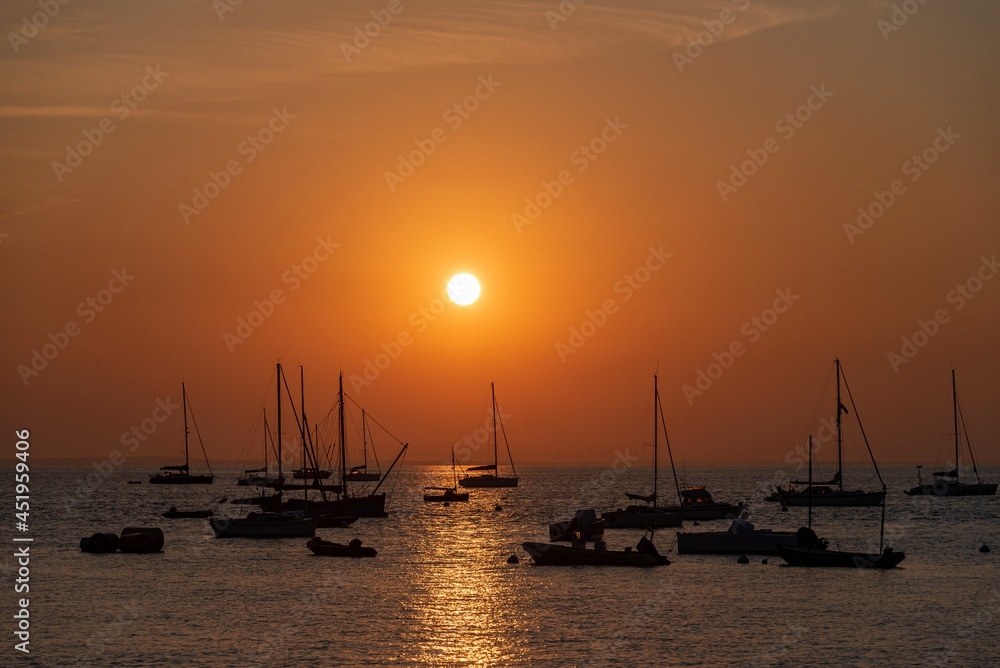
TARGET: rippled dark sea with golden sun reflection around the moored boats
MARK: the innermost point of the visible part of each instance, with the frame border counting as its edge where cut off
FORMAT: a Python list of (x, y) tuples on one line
[(441, 593)]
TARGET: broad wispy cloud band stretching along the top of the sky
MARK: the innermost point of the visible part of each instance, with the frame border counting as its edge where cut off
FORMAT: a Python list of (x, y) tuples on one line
[(263, 45)]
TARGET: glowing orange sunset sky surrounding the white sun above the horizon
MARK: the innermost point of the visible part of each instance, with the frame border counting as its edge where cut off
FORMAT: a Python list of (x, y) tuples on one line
[(161, 96)]
